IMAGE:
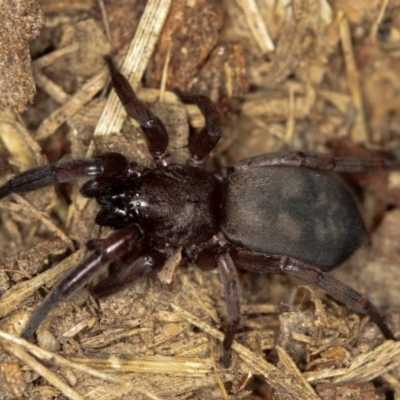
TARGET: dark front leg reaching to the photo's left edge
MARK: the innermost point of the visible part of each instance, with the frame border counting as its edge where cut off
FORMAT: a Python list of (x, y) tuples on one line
[(64, 171)]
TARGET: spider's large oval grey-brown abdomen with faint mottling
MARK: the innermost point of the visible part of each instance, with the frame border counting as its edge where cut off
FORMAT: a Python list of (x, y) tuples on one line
[(298, 212)]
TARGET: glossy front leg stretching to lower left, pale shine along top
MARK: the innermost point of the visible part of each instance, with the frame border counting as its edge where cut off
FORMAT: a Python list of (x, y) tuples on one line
[(111, 249)]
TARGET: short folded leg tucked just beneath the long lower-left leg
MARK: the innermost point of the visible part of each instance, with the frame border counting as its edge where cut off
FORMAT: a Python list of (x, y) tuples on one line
[(130, 274)]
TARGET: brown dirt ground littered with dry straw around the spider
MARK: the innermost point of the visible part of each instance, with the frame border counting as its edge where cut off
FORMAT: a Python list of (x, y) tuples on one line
[(304, 75)]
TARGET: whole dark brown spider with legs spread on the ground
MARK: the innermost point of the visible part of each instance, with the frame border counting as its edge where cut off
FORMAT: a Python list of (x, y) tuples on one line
[(276, 213)]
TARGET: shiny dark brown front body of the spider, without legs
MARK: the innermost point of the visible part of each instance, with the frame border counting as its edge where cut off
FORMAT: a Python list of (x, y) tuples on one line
[(188, 214)]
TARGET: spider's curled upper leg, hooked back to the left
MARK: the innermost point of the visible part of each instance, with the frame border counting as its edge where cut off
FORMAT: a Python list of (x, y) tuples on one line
[(201, 143)]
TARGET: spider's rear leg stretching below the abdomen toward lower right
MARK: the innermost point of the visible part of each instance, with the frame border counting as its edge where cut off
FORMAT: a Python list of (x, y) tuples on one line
[(275, 264)]
